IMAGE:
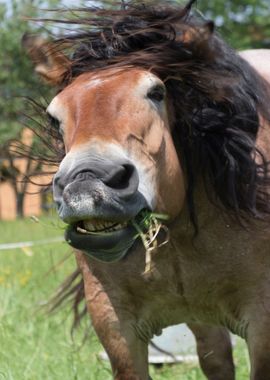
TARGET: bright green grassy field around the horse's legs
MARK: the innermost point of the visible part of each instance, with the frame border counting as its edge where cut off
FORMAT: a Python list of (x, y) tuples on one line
[(38, 346)]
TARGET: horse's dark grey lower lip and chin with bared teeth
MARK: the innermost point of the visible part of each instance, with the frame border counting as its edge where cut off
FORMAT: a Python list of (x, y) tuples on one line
[(102, 240)]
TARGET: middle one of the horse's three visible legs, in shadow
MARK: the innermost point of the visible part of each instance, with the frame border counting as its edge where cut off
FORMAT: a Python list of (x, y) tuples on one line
[(215, 351)]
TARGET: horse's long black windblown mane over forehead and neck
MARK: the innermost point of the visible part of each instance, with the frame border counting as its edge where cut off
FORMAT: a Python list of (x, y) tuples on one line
[(216, 95)]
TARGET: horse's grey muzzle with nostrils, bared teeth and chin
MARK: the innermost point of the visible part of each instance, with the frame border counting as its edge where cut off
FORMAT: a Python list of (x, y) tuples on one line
[(98, 200)]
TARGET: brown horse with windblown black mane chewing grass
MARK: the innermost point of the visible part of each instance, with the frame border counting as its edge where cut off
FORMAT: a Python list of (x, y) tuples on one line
[(160, 116)]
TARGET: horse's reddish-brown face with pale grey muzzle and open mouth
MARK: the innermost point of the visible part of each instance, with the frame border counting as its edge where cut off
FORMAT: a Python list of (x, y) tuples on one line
[(120, 156)]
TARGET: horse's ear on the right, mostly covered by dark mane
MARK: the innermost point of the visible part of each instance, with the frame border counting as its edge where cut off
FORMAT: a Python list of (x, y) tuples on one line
[(197, 34)]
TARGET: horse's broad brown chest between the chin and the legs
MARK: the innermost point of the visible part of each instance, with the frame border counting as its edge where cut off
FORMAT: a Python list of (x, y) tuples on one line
[(206, 280)]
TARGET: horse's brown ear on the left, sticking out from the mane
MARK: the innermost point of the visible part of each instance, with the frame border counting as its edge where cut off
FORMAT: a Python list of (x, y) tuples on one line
[(50, 63)]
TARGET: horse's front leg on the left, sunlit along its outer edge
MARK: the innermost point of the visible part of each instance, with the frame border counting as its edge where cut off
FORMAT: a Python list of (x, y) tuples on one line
[(115, 328)]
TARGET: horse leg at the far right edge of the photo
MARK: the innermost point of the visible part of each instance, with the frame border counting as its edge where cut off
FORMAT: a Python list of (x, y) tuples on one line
[(259, 349)]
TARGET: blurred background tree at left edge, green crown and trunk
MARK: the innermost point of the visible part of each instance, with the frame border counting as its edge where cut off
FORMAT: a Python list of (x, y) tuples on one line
[(17, 81)]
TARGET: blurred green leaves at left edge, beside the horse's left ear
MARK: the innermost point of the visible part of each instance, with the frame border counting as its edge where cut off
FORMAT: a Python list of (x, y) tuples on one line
[(17, 79)]
